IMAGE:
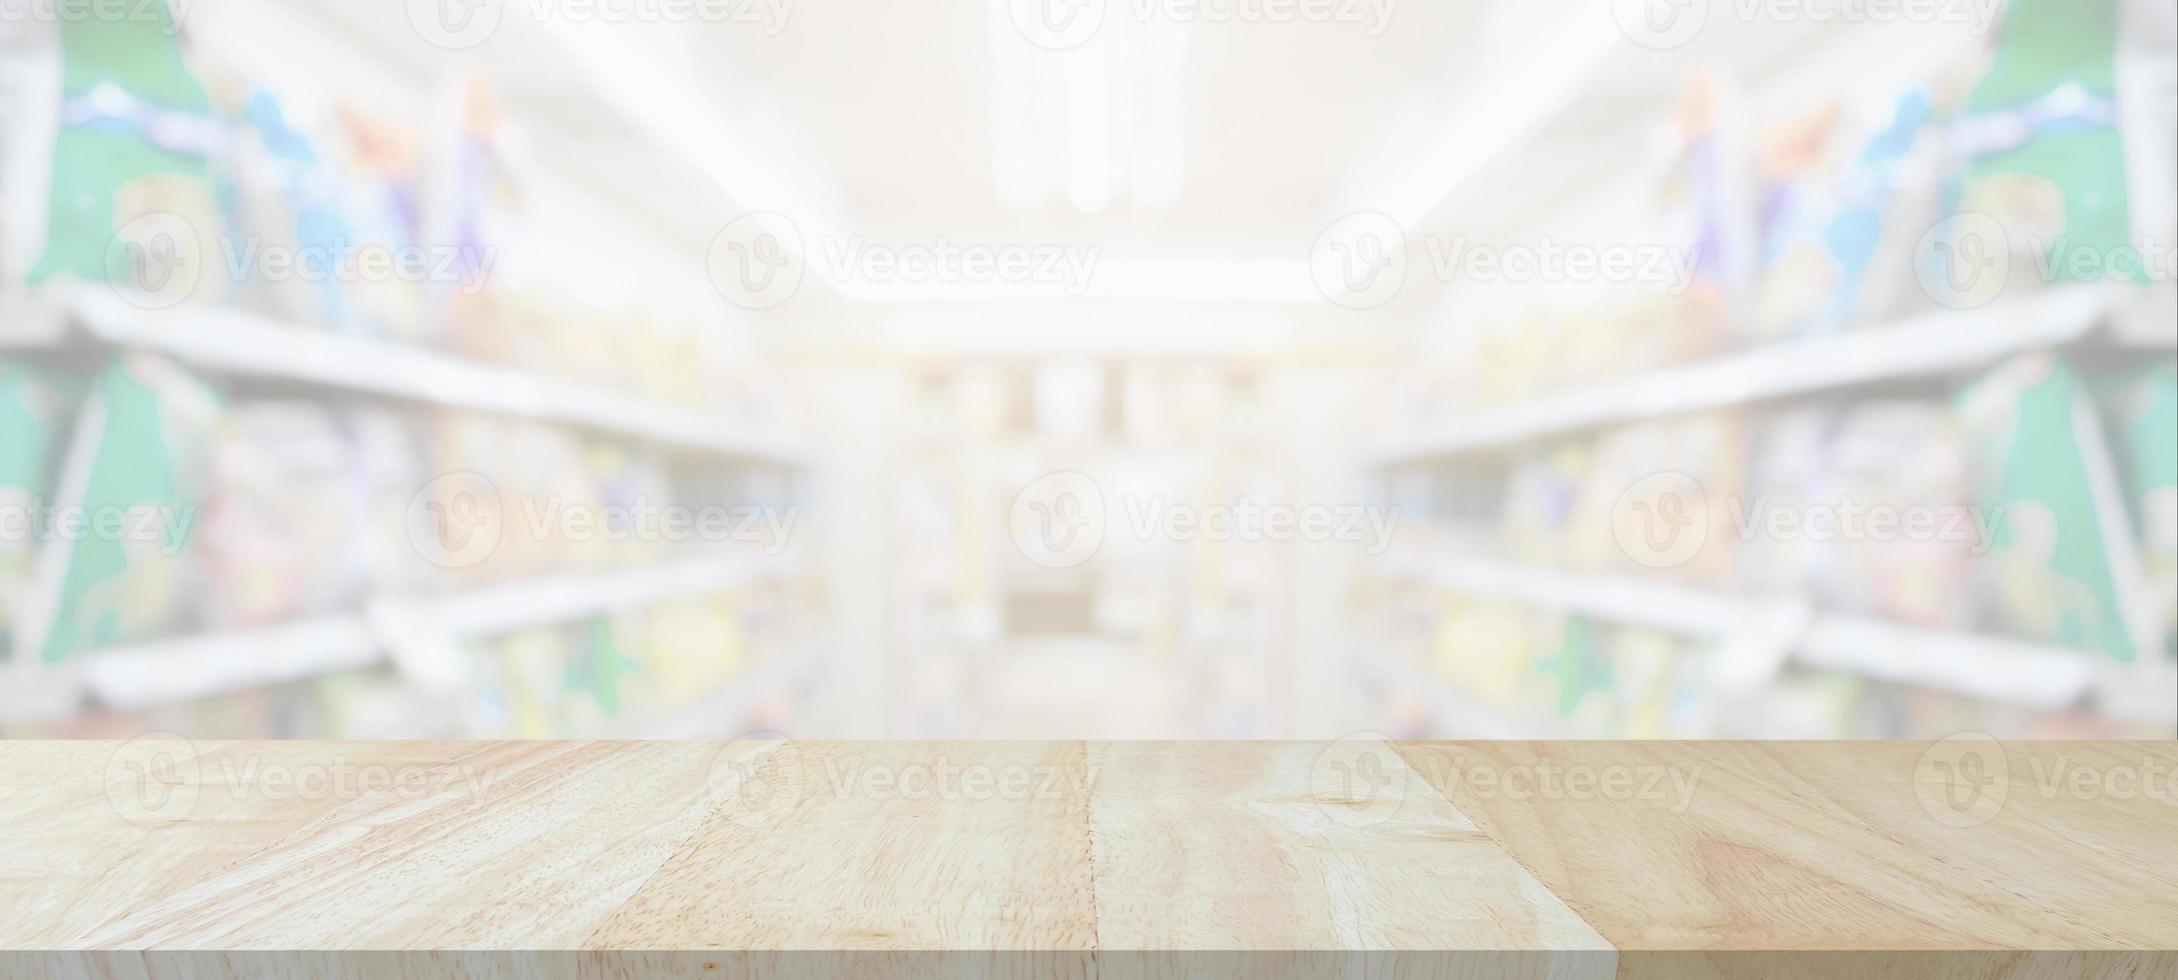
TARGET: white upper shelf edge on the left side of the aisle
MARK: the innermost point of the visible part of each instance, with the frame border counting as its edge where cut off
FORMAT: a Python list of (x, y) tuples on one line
[(249, 345)]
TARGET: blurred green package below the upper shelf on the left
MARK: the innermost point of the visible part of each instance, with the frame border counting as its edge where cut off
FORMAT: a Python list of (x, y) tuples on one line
[(136, 463)]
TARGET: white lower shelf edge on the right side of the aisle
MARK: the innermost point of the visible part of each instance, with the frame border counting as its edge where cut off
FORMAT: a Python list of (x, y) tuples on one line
[(1987, 667)]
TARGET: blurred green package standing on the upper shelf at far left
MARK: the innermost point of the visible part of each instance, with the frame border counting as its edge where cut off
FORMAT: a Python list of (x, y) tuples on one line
[(134, 199)]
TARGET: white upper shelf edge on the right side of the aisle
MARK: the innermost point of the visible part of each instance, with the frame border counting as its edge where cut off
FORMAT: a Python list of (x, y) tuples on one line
[(1918, 347)]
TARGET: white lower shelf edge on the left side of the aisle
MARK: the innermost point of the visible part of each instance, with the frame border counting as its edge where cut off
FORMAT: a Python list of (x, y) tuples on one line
[(186, 670)]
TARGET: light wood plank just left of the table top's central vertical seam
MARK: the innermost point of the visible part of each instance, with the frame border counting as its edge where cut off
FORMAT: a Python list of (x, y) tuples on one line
[(883, 846)]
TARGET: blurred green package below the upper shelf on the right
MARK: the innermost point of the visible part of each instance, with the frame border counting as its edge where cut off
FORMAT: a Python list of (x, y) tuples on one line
[(2035, 448)]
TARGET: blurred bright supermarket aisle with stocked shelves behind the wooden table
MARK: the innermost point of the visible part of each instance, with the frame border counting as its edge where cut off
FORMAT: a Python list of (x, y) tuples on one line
[(563, 369)]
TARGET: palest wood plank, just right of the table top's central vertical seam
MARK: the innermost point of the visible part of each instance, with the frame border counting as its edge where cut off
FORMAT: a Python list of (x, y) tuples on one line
[(1312, 848)]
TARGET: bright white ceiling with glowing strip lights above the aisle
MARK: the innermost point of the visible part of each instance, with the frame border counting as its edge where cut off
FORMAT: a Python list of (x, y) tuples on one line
[(881, 117)]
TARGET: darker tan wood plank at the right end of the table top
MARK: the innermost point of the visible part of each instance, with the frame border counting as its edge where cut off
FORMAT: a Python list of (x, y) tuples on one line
[(1865, 846)]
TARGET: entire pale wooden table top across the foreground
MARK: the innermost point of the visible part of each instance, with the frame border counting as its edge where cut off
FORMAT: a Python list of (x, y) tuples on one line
[(1961, 859)]
